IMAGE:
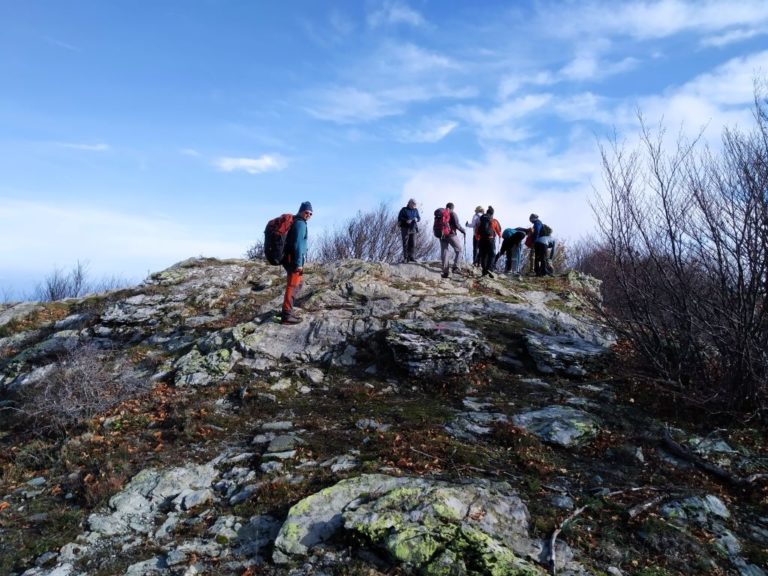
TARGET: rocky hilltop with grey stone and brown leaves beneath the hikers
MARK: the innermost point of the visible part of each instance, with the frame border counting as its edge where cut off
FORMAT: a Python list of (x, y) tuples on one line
[(409, 424)]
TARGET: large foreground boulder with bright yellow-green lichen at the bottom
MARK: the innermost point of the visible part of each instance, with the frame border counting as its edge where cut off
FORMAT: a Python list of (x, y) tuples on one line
[(432, 527)]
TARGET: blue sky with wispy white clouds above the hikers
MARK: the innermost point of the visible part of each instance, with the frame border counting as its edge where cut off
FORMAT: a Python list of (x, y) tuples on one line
[(137, 133)]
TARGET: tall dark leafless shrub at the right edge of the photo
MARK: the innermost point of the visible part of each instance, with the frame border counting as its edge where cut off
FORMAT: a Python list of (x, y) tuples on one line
[(684, 242)]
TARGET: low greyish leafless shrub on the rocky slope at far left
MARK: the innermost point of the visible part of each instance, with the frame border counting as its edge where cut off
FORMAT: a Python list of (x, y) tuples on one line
[(86, 382)]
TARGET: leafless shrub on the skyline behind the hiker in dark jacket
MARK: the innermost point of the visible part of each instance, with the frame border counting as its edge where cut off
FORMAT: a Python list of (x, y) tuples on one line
[(374, 236)]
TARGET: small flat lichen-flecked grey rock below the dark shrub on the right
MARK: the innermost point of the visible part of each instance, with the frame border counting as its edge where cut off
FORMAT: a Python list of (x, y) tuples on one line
[(561, 425)]
